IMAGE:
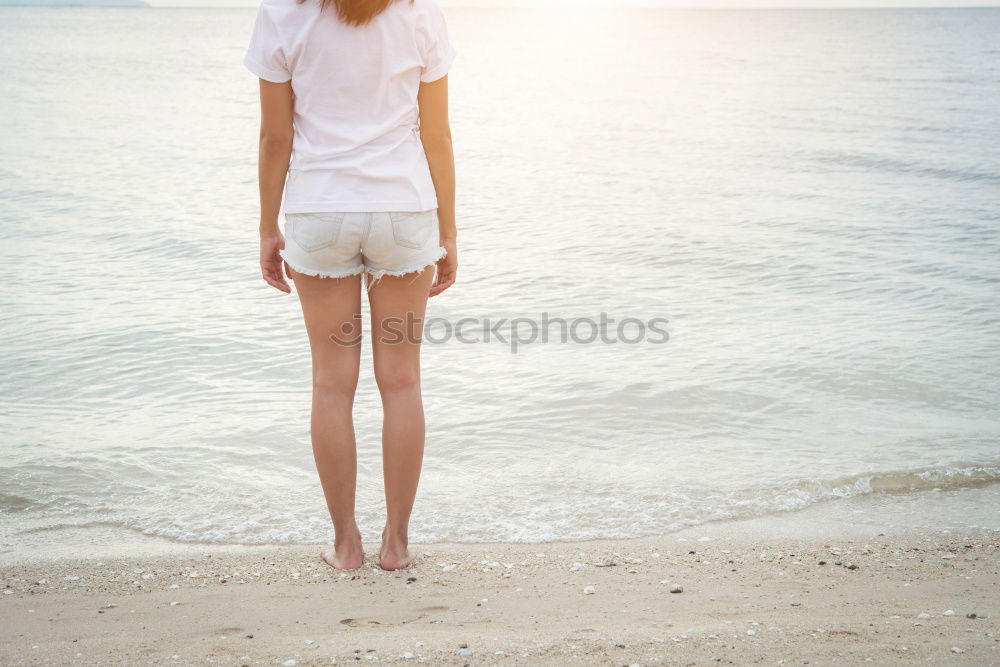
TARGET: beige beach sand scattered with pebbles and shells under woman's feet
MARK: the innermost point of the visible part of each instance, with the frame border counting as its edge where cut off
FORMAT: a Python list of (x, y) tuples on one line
[(747, 598)]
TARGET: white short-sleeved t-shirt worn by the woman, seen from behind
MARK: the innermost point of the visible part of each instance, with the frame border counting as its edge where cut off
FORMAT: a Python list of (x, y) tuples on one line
[(357, 145)]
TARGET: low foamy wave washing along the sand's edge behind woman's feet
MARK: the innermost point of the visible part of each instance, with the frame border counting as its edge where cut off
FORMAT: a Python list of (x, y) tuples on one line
[(553, 519)]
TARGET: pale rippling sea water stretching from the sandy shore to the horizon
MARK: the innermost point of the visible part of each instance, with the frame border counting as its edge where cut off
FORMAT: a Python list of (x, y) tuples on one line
[(811, 199)]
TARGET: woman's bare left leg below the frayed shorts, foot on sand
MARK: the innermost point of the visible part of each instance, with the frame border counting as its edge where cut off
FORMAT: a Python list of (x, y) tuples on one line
[(332, 311)]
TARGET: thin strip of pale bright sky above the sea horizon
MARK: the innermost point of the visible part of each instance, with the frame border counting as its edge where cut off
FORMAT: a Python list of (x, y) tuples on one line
[(639, 3)]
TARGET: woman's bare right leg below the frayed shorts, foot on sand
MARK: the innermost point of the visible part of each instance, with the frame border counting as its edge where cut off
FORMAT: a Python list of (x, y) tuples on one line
[(397, 309)]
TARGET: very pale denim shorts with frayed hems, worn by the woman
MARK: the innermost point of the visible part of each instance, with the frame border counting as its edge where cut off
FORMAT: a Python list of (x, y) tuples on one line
[(336, 245)]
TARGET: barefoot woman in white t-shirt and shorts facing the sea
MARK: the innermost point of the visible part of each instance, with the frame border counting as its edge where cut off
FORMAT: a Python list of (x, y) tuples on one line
[(354, 110)]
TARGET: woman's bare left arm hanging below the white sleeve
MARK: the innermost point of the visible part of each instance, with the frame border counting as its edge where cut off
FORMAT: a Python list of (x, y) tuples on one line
[(275, 153)]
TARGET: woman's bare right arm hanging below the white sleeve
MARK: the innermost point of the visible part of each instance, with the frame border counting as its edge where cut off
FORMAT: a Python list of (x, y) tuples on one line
[(435, 133)]
